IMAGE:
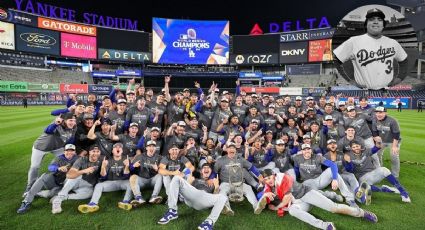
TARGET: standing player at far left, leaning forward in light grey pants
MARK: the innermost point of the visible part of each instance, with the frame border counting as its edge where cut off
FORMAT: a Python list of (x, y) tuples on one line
[(54, 138)]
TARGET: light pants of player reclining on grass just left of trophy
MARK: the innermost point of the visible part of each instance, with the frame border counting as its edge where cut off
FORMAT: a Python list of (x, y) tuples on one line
[(197, 199)]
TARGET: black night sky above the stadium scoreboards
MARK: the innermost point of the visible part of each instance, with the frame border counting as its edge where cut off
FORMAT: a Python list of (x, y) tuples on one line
[(242, 16)]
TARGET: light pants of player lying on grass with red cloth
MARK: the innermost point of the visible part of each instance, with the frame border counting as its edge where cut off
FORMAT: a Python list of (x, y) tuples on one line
[(300, 207)]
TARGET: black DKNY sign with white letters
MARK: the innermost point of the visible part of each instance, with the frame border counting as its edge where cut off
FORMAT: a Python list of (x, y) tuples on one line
[(294, 52)]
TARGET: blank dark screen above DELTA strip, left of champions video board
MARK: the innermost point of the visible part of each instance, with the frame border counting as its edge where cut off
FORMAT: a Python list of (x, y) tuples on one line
[(114, 39)]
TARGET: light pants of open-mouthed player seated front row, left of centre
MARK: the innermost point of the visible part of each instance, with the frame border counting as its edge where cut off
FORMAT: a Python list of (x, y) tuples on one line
[(111, 186)]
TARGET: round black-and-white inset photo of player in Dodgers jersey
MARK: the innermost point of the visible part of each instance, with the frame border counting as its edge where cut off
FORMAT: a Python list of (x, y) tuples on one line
[(375, 47)]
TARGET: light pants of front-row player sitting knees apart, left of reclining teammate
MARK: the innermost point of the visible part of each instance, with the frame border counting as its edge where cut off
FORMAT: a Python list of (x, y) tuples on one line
[(137, 182)]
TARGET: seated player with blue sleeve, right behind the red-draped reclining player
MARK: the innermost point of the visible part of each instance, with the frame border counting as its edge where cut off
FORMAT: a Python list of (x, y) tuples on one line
[(308, 167)]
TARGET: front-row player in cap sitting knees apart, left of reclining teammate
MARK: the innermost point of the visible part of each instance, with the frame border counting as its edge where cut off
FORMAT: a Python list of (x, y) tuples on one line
[(145, 169)]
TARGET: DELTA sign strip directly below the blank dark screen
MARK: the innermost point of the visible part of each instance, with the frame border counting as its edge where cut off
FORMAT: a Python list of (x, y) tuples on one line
[(122, 55)]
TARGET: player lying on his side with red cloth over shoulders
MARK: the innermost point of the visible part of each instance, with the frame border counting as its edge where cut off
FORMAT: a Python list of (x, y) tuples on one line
[(283, 193)]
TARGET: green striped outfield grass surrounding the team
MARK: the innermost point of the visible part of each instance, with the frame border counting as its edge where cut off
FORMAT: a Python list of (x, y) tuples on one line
[(19, 128)]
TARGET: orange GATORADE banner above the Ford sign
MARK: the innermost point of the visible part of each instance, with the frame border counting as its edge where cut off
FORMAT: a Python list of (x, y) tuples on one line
[(68, 27)]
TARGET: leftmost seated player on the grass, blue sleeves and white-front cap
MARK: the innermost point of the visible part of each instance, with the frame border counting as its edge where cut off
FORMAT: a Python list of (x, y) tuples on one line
[(54, 179)]
